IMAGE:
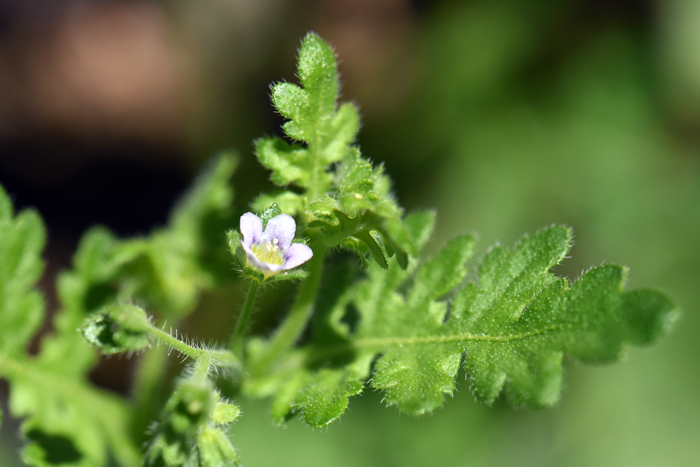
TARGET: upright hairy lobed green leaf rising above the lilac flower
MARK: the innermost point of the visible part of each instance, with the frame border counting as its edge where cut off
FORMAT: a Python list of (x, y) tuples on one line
[(351, 201)]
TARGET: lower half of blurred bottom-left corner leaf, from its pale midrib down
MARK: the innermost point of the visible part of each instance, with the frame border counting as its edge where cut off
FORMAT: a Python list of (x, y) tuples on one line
[(68, 422)]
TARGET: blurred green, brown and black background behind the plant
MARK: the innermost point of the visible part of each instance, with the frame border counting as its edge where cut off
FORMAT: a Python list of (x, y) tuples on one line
[(505, 115)]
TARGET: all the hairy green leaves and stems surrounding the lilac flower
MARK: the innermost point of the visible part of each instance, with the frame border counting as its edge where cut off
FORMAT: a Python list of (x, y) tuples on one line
[(404, 324)]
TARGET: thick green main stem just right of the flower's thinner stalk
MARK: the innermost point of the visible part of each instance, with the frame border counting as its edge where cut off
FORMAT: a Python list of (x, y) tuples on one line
[(292, 328)]
